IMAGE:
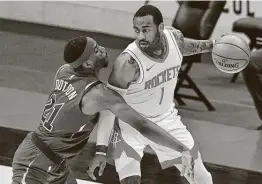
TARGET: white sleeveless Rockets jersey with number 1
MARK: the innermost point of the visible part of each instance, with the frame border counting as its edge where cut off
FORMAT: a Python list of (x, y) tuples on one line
[(153, 93)]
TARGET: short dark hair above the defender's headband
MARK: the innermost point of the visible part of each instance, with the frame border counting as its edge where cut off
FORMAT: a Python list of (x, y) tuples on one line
[(74, 49)]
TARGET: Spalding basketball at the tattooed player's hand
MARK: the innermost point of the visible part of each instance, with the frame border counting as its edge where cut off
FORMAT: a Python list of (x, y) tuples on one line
[(231, 54)]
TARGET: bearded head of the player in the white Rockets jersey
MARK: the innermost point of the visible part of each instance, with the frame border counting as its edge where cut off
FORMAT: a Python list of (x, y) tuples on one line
[(148, 24)]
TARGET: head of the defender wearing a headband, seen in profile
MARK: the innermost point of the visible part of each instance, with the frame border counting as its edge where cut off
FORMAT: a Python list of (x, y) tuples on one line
[(85, 55)]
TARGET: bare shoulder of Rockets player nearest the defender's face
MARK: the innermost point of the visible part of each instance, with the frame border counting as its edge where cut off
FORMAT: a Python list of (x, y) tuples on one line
[(125, 70)]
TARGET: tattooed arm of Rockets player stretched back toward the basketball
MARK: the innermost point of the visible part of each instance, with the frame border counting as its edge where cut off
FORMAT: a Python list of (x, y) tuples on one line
[(189, 46)]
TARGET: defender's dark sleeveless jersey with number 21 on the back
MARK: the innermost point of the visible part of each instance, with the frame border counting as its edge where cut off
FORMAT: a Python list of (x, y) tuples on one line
[(63, 125)]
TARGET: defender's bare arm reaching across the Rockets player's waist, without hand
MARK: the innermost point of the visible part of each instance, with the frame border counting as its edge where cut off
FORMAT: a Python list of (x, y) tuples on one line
[(101, 98)]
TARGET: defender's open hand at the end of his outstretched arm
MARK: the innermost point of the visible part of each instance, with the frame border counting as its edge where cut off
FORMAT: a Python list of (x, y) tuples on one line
[(187, 165)]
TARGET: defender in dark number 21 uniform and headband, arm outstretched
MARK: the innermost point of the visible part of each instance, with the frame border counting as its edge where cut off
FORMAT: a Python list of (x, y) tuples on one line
[(70, 114)]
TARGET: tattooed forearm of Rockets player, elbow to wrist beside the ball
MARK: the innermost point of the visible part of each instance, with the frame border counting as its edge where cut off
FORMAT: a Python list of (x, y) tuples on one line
[(191, 46)]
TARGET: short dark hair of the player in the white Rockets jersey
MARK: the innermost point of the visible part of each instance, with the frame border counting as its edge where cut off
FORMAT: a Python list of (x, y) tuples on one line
[(150, 10)]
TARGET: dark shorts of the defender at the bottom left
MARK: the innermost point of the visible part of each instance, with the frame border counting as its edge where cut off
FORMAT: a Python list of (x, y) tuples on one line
[(31, 166)]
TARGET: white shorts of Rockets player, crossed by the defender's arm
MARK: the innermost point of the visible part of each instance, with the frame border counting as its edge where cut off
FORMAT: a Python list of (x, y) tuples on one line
[(129, 144)]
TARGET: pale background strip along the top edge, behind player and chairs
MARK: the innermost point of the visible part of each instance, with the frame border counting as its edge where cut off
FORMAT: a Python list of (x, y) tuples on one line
[(112, 17)]
